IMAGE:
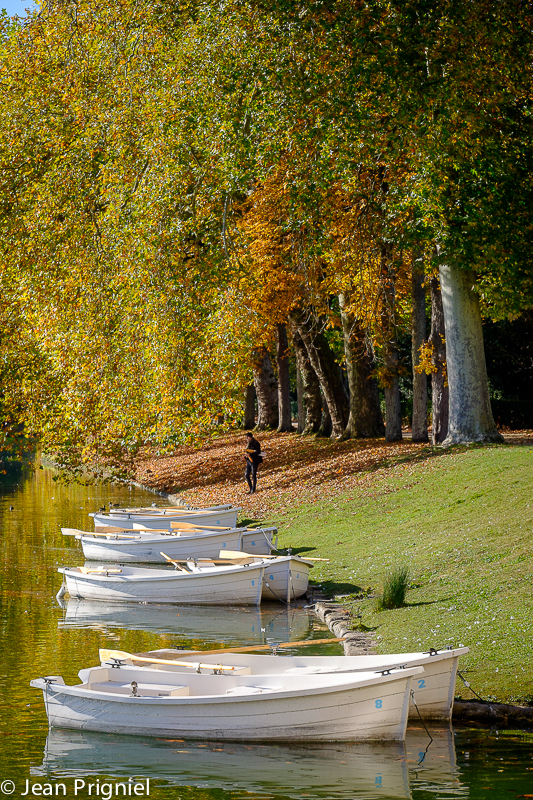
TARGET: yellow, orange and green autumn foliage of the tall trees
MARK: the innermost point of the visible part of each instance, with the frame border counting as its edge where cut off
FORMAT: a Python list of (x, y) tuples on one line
[(180, 180)]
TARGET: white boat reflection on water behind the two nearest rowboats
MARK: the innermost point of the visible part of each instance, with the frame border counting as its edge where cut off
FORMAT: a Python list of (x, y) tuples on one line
[(233, 624)]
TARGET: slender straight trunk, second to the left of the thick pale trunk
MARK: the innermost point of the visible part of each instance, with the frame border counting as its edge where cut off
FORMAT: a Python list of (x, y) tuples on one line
[(419, 425)]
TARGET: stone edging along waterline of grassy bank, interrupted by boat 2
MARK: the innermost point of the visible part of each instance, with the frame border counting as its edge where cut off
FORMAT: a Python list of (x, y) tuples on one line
[(357, 643)]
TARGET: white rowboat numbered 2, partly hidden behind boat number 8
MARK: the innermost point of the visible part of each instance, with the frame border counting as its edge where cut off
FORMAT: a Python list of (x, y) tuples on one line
[(433, 692)]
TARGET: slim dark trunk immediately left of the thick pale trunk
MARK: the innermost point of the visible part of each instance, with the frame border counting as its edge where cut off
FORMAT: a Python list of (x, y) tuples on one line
[(439, 385)]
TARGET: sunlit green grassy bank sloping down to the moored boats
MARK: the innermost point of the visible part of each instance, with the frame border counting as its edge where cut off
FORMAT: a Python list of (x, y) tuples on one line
[(462, 522)]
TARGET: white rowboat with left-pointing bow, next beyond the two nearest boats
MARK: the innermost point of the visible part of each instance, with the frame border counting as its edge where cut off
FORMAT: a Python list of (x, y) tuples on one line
[(239, 585)]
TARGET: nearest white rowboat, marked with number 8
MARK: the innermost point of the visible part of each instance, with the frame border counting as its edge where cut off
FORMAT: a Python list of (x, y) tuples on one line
[(316, 708)]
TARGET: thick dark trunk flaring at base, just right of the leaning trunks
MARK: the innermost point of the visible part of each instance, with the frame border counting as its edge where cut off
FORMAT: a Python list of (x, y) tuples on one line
[(365, 419)]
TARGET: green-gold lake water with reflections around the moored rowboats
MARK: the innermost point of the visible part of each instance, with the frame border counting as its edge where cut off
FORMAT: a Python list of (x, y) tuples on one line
[(38, 637)]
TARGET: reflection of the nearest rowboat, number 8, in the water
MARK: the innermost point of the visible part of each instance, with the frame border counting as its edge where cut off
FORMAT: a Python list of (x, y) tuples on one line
[(330, 771)]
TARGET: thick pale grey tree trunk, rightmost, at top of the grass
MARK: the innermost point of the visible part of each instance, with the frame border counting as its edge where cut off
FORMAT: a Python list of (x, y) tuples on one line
[(470, 415)]
